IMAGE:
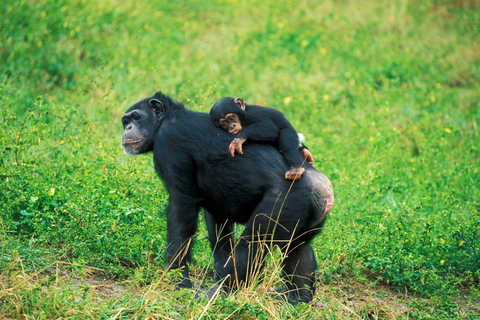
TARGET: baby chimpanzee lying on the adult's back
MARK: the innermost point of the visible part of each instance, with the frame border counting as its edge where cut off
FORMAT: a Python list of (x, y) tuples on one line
[(261, 124)]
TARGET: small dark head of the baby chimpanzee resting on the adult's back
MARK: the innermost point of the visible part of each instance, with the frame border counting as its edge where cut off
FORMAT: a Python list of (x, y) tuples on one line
[(226, 113)]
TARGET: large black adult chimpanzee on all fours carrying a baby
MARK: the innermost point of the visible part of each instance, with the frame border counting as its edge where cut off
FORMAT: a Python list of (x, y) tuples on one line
[(191, 157)]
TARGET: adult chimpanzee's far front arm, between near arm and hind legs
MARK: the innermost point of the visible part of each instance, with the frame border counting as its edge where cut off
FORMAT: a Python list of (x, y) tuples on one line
[(221, 242)]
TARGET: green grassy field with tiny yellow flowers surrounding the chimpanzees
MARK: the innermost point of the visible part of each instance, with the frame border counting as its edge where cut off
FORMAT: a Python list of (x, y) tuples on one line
[(386, 93)]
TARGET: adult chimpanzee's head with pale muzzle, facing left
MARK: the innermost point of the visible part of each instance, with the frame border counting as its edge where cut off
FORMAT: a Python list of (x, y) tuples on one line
[(141, 122)]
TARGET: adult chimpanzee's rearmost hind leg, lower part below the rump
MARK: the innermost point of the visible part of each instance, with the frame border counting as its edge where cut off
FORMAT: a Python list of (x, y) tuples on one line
[(299, 268)]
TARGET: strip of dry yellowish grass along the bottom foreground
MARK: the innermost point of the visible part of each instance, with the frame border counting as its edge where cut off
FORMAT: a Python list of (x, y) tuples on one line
[(61, 291)]
